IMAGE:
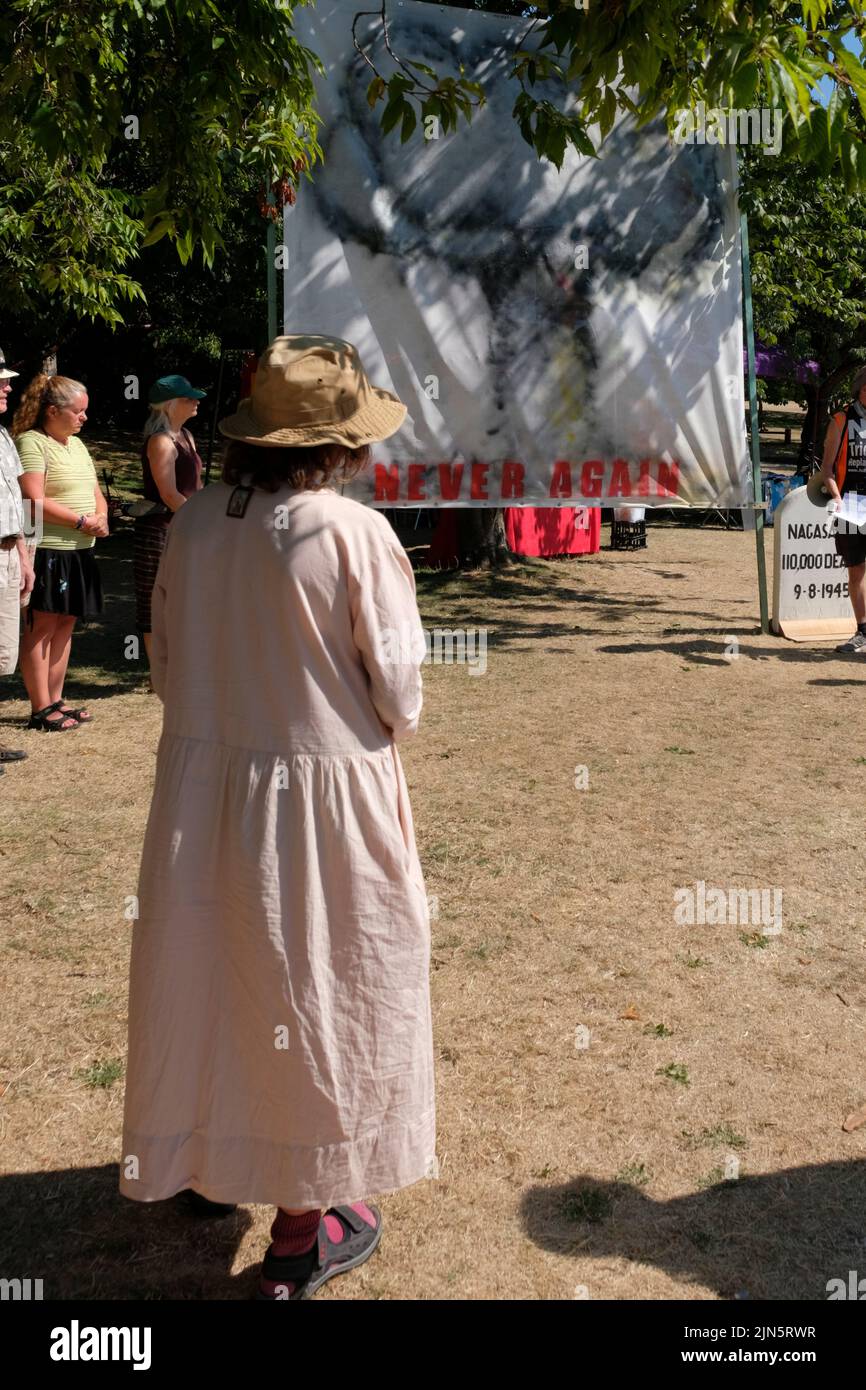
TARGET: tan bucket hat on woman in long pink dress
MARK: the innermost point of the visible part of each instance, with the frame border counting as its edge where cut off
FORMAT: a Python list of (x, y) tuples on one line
[(313, 390)]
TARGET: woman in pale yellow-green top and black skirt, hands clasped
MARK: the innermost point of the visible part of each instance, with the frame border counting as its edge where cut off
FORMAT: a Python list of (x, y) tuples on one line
[(59, 475)]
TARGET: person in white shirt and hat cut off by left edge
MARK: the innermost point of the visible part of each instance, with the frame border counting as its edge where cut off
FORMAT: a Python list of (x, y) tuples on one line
[(16, 569)]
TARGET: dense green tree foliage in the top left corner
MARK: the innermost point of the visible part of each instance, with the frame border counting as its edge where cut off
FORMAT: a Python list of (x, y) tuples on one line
[(120, 124)]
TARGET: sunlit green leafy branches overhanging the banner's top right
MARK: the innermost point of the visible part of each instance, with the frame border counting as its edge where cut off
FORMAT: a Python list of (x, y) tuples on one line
[(661, 58)]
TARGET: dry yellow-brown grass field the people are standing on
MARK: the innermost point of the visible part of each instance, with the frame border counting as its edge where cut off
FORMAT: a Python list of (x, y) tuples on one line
[(601, 1068)]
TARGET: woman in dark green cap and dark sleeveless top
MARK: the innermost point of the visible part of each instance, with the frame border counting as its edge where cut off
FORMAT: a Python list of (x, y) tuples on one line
[(172, 472)]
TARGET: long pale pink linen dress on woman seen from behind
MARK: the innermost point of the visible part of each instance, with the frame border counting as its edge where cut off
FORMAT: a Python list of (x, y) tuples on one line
[(280, 1027)]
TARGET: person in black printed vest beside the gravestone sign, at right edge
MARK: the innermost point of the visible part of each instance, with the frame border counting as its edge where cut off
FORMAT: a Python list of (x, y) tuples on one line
[(844, 472)]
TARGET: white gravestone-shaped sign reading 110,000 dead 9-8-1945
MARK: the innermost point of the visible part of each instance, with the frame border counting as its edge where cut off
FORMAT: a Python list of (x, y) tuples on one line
[(810, 582)]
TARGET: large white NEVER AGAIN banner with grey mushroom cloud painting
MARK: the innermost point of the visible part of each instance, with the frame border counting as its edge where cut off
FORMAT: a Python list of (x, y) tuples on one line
[(561, 338)]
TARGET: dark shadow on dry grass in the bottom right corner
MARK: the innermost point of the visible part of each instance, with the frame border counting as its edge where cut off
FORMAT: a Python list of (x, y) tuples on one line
[(772, 1236)]
